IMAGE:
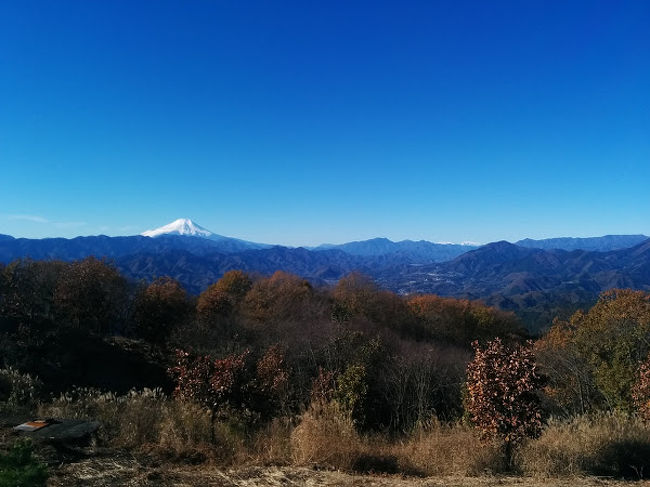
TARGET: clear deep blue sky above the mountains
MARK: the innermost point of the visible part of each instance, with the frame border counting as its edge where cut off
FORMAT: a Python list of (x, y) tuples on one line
[(308, 122)]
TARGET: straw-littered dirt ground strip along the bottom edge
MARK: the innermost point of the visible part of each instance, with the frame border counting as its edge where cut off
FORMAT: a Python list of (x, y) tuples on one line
[(98, 472)]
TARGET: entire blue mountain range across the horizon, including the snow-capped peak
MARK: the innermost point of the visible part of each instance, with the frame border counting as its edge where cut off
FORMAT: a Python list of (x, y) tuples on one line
[(535, 278)]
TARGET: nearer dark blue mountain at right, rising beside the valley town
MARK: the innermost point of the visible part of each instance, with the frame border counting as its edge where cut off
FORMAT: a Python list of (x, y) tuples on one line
[(537, 284)]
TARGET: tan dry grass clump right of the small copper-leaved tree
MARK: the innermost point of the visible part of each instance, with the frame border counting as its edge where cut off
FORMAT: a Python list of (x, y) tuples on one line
[(610, 444)]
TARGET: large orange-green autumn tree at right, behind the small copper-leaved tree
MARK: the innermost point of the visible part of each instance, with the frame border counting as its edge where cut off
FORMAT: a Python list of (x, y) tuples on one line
[(593, 358)]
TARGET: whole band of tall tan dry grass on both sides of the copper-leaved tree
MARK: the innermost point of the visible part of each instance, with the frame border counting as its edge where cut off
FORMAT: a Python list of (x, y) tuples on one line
[(613, 445)]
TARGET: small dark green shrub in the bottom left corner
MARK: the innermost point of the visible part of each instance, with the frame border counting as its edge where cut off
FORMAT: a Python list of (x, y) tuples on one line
[(19, 468)]
